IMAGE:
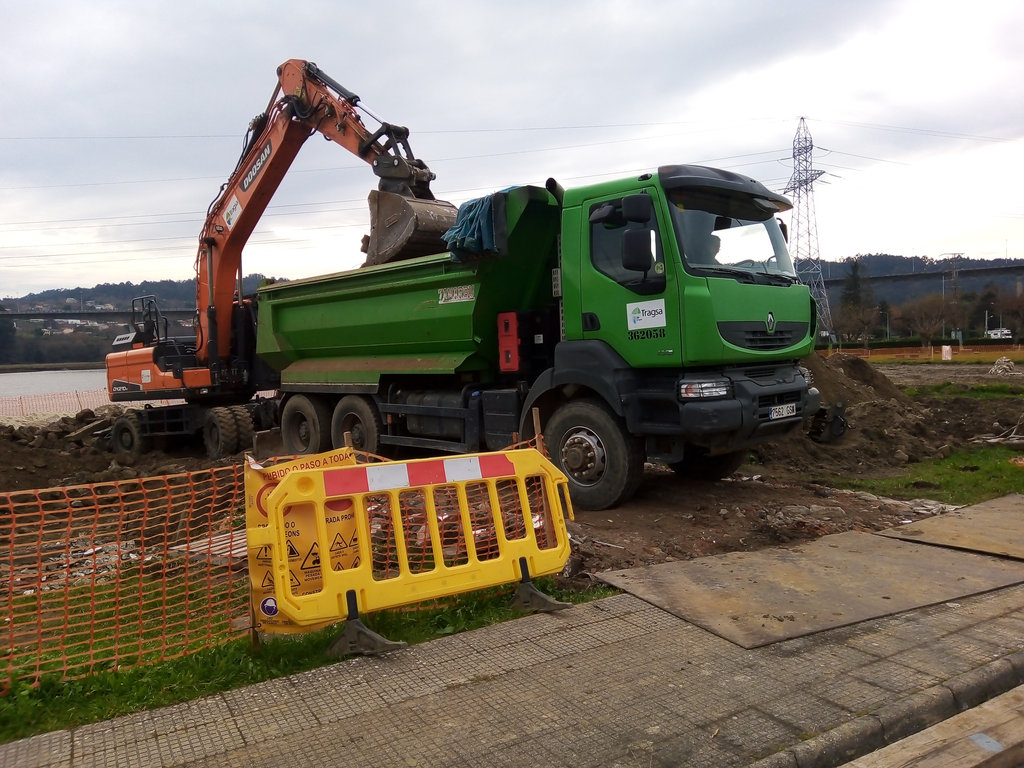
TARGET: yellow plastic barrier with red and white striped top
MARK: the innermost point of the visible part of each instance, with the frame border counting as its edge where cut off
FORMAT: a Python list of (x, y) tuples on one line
[(423, 530)]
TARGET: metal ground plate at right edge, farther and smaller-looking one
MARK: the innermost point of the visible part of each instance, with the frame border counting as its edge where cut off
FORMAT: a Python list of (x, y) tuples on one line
[(996, 527)]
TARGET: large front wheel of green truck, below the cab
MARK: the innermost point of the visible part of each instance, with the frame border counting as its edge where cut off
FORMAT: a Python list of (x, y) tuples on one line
[(604, 463)]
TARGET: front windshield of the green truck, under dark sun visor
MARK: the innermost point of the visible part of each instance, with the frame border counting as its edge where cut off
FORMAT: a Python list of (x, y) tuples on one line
[(730, 236)]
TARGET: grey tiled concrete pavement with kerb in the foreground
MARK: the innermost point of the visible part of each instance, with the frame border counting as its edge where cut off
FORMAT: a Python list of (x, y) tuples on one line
[(616, 682)]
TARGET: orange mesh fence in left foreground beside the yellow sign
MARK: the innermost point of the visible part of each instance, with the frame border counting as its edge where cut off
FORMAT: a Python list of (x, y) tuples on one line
[(135, 572)]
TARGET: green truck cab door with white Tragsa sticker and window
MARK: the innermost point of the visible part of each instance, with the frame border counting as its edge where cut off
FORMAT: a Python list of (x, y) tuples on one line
[(627, 302)]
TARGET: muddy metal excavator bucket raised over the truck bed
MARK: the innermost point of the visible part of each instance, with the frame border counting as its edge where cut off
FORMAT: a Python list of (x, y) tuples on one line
[(404, 228)]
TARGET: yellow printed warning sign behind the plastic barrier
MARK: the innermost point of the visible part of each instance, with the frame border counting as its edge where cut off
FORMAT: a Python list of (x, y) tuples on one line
[(305, 568)]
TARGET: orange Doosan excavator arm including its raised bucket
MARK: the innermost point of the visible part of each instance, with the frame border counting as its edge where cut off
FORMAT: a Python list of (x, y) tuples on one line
[(406, 220)]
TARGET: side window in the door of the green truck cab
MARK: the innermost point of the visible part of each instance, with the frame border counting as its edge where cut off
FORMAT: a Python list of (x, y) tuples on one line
[(608, 234)]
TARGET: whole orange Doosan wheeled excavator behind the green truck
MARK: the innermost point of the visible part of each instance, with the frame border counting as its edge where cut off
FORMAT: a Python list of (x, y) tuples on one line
[(217, 373)]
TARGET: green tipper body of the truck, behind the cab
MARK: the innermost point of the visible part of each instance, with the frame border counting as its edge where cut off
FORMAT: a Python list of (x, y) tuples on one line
[(429, 316)]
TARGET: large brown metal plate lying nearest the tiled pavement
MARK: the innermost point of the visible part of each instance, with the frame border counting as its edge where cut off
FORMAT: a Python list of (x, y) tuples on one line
[(757, 599)]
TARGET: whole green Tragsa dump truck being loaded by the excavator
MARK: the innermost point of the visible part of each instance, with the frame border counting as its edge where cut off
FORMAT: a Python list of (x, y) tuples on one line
[(656, 319)]
